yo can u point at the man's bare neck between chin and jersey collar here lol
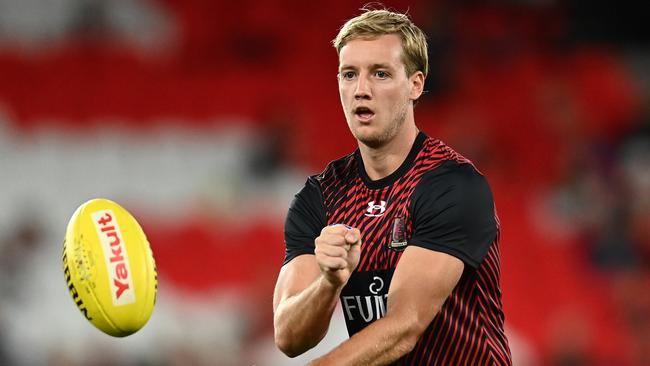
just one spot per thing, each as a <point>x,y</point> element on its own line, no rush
<point>383,161</point>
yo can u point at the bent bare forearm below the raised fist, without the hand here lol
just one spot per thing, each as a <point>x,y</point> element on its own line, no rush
<point>301,321</point>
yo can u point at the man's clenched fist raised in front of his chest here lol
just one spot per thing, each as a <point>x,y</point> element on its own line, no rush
<point>337,252</point>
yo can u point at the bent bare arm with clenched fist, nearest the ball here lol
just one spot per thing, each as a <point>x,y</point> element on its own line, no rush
<point>308,288</point>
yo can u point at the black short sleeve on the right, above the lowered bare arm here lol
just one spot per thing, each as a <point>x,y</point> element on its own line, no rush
<point>453,212</point>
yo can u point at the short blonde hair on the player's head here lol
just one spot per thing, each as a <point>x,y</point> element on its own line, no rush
<point>375,23</point>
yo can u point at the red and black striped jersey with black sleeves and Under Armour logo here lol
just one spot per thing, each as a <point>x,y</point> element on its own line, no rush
<point>437,200</point>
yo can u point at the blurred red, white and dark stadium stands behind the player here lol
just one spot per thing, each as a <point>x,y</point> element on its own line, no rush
<point>203,118</point>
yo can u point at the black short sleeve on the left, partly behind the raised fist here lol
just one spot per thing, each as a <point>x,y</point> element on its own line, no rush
<point>305,220</point>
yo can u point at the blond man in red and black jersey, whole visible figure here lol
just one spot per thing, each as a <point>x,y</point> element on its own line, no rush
<point>403,231</point>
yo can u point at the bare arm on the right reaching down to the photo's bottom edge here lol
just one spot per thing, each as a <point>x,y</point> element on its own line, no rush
<point>422,282</point>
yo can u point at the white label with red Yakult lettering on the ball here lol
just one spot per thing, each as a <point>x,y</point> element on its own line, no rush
<point>117,262</point>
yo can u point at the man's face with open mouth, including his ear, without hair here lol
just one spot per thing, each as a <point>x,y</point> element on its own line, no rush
<point>376,93</point>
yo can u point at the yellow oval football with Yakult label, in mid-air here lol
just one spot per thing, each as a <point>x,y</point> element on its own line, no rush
<point>109,267</point>
